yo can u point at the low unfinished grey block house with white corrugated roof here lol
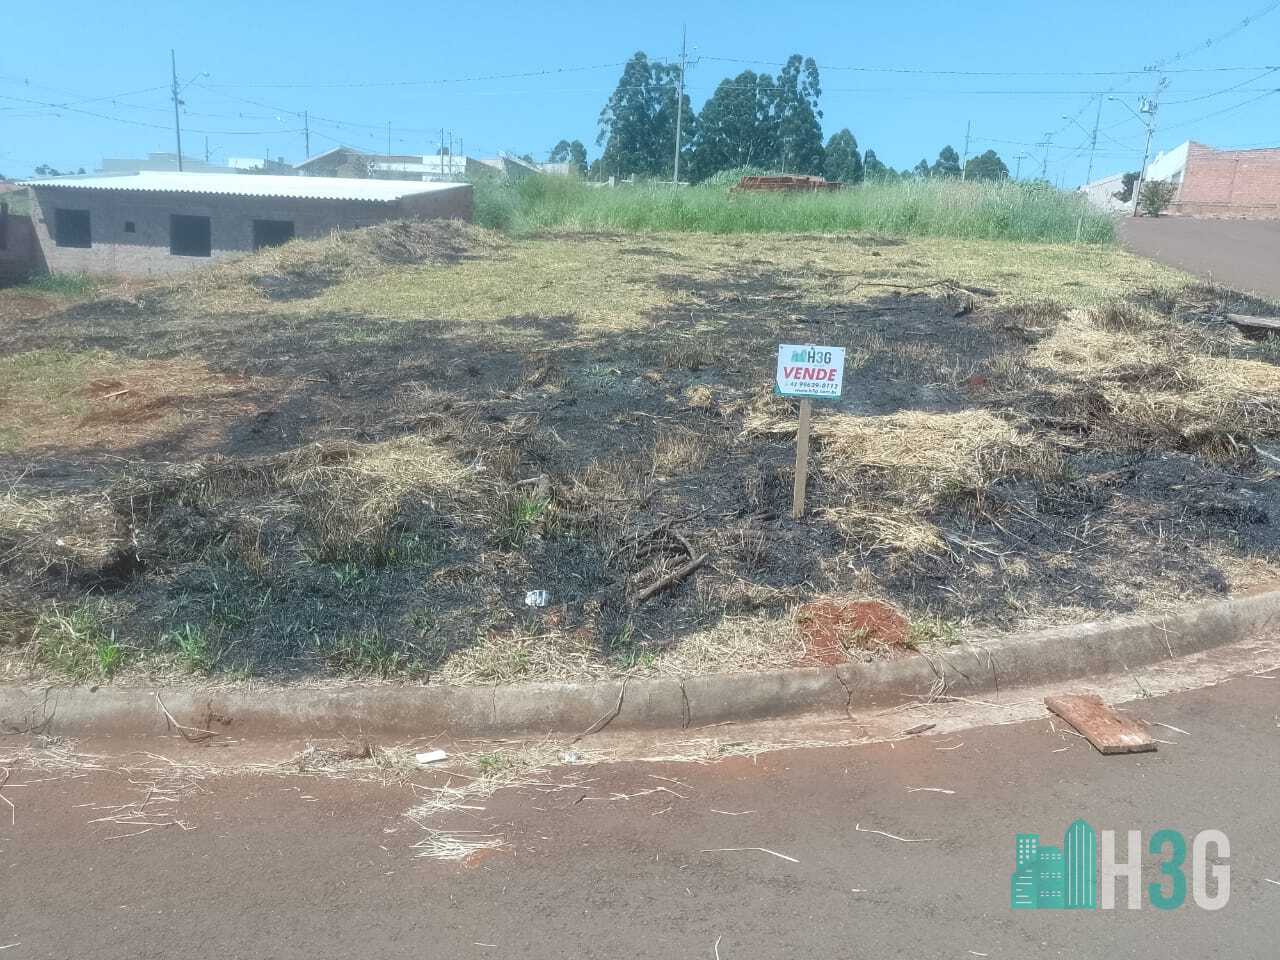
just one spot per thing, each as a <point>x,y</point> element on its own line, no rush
<point>157,222</point>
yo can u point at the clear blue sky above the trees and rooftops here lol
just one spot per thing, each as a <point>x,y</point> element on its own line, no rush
<point>358,66</point>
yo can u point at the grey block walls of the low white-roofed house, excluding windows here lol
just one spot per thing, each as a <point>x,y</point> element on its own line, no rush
<point>145,250</point>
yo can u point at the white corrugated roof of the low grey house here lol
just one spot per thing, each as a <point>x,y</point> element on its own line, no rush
<point>241,185</point>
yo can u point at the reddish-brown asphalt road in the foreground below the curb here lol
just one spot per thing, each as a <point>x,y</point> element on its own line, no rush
<point>624,861</point>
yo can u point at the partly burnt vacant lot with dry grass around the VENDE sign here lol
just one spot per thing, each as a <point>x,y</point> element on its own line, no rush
<point>356,456</point>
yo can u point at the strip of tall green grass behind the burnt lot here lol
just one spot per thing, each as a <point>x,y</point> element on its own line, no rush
<point>927,208</point>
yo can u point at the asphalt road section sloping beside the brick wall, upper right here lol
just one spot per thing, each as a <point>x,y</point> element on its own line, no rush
<point>1244,255</point>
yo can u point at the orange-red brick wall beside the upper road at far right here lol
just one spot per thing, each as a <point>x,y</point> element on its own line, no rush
<point>1231,184</point>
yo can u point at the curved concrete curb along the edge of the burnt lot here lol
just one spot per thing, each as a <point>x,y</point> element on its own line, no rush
<point>977,668</point>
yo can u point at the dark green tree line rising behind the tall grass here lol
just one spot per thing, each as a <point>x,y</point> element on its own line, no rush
<point>752,121</point>
